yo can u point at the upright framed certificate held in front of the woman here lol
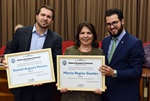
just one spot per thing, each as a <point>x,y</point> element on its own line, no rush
<point>80,73</point>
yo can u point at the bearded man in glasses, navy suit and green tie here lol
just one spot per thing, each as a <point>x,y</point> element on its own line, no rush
<point>124,65</point>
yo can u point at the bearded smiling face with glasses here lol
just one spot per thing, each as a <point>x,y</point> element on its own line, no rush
<point>114,25</point>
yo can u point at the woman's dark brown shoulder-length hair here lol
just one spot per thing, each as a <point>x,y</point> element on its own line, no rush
<point>91,27</point>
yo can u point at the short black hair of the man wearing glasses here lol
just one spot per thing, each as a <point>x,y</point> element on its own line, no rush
<point>112,12</point>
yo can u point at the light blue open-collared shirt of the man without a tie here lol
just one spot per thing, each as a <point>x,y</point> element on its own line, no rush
<point>37,40</point>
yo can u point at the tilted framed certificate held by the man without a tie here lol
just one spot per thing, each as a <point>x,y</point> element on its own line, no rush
<point>29,68</point>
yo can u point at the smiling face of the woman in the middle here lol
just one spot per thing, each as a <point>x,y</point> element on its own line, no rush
<point>86,37</point>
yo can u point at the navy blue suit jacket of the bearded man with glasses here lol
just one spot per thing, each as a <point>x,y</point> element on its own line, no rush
<point>127,60</point>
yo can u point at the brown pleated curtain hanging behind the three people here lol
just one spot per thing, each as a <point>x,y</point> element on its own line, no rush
<point>69,13</point>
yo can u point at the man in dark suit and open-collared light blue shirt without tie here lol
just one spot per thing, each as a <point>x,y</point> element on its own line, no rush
<point>34,38</point>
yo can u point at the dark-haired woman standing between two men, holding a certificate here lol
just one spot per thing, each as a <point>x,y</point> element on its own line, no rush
<point>86,44</point>
